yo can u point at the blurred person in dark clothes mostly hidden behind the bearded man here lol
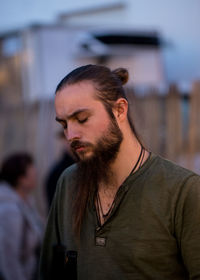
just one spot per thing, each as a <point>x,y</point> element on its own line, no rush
<point>65,161</point>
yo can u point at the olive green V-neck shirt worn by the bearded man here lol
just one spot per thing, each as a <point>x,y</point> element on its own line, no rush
<point>153,231</point>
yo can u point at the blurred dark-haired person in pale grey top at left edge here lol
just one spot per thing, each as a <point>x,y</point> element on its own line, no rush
<point>21,228</point>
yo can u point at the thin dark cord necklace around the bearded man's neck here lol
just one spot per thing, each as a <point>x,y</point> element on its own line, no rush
<point>98,200</point>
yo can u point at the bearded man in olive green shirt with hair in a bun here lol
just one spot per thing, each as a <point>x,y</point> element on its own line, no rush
<point>121,212</point>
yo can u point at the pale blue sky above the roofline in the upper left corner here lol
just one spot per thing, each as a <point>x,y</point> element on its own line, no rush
<point>18,13</point>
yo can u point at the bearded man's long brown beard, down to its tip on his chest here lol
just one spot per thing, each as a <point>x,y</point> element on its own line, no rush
<point>94,168</point>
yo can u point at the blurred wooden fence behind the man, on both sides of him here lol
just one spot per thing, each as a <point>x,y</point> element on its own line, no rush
<point>169,125</point>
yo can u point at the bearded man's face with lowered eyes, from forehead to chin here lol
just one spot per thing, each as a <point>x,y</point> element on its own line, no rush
<point>87,126</point>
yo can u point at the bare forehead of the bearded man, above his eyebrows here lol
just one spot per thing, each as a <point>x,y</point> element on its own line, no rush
<point>75,97</point>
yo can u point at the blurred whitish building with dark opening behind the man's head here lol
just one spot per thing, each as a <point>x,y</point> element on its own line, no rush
<point>35,59</point>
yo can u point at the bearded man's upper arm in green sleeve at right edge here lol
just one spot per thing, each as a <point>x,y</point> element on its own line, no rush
<point>188,226</point>
